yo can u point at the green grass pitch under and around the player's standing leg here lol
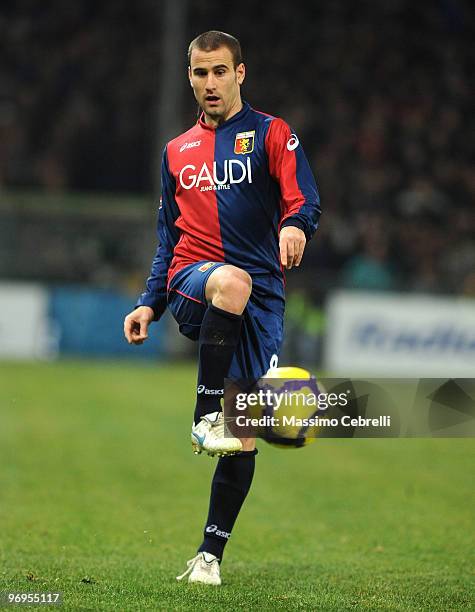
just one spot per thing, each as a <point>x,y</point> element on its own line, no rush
<point>102,499</point>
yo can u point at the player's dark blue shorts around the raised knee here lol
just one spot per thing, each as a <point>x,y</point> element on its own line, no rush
<point>263,318</point>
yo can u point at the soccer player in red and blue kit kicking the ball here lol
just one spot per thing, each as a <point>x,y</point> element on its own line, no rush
<point>239,202</point>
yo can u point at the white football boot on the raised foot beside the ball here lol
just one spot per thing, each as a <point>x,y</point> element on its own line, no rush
<point>208,435</point>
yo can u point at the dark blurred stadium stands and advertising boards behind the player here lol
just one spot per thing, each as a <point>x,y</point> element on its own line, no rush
<point>379,95</point>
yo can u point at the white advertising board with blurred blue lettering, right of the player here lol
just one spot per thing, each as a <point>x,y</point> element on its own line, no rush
<point>400,335</point>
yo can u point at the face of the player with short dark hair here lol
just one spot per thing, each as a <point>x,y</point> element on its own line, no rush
<point>216,84</point>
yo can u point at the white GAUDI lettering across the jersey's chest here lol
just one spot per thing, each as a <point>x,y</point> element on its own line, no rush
<point>207,179</point>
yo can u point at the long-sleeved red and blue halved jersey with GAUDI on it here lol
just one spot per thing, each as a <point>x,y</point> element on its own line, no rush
<point>226,192</point>
